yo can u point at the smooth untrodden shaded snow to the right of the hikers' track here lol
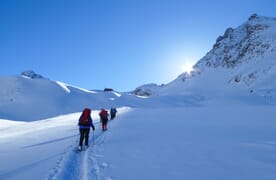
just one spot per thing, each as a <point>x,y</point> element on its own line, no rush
<point>192,143</point>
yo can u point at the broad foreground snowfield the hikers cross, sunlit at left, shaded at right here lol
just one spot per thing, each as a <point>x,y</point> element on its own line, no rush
<point>234,141</point>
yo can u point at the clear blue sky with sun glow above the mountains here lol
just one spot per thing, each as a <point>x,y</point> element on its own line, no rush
<point>119,44</point>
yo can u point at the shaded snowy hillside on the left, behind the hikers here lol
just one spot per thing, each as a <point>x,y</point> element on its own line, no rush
<point>31,97</point>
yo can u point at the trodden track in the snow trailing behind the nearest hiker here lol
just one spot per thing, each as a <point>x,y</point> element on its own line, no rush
<point>82,165</point>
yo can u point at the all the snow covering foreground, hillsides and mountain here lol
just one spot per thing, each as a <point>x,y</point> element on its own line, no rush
<point>217,123</point>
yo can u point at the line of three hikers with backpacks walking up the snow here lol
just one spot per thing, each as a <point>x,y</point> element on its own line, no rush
<point>86,122</point>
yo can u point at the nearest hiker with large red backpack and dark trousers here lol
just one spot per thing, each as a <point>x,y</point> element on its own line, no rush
<point>85,122</point>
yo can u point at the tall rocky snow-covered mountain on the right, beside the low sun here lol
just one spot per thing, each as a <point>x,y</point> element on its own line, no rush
<point>243,60</point>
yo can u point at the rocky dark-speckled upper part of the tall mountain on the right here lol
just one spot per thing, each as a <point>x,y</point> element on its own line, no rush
<point>247,42</point>
